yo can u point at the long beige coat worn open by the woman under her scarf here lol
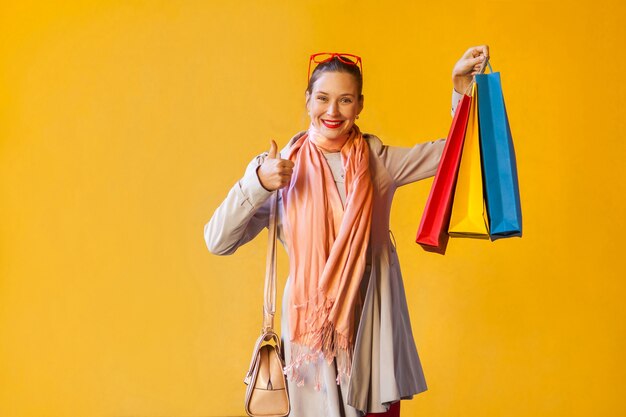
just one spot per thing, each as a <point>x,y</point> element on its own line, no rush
<point>386,366</point>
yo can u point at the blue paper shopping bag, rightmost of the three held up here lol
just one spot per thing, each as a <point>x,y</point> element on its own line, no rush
<point>498,159</point>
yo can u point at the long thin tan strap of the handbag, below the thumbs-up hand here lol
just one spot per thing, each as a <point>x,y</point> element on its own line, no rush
<point>269,305</point>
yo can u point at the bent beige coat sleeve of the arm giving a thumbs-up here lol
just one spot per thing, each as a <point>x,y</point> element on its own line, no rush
<point>241,216</point>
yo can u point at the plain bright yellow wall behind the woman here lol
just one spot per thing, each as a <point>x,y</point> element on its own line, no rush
<point>123,124</point>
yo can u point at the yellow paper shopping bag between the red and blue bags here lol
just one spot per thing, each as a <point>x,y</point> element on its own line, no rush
<point>469,216</point>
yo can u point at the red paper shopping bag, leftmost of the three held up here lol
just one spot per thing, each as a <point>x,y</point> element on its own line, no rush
<point>432,233</point>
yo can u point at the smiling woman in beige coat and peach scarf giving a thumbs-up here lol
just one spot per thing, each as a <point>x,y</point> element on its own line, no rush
<point>348,343</point>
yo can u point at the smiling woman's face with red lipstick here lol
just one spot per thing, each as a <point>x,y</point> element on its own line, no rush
<point>334,104</point>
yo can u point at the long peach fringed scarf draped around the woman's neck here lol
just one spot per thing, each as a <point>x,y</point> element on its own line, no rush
<point>327,248</point>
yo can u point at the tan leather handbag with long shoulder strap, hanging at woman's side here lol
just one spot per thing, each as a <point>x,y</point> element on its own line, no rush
<point>267,395</point>
